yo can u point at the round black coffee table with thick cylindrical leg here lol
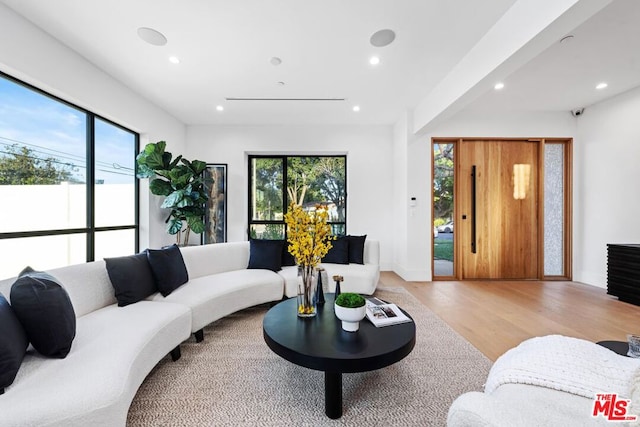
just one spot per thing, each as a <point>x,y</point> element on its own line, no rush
<point>320,343</point>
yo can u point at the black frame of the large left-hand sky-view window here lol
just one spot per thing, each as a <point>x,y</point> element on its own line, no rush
<point>90,229</point>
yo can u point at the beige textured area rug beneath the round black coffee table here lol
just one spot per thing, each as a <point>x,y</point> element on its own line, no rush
<point>234,379</point>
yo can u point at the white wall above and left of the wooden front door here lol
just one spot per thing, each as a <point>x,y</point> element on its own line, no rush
<point>465,124</point>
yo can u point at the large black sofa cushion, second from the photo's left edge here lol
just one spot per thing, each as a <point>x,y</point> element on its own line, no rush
<point>45,311</point>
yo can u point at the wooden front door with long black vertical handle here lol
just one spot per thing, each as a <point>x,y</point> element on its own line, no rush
<point>497,210</point>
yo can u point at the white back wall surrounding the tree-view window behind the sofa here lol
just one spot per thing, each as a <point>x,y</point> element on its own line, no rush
<point>369,169</point>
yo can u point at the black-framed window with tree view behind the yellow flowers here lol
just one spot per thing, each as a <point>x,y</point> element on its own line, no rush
<point>276,181</point>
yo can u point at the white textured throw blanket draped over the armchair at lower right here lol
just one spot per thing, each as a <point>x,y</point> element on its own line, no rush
<point>567,364</point>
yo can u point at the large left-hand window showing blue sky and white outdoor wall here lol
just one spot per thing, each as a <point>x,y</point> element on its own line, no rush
<point>67,182</point>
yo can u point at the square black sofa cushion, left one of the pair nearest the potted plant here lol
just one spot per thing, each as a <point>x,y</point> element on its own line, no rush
<point>131,278</point>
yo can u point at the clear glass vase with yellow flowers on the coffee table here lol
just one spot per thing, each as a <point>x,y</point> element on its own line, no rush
<point>309,237</point>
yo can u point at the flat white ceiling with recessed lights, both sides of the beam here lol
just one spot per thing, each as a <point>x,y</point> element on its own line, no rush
<point>225,49</point>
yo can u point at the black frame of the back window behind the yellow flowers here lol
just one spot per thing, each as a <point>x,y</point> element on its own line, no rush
<point>285,196</point>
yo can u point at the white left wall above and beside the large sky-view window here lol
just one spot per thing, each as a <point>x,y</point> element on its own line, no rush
<point>31,55</point>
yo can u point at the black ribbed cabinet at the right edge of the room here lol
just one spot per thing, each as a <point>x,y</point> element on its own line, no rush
<point>623,272</point>
